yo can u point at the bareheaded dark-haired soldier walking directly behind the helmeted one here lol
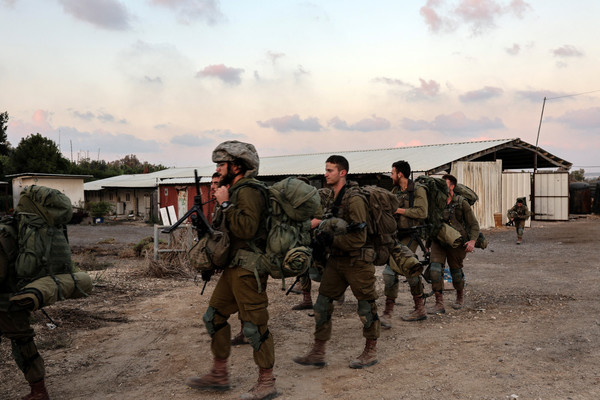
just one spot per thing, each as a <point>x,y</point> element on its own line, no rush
<point>350,263</point>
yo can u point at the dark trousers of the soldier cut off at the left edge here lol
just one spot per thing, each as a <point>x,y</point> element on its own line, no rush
<point>15,326</point>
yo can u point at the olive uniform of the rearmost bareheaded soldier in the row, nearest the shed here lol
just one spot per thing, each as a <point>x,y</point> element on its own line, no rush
<point>460,216</point>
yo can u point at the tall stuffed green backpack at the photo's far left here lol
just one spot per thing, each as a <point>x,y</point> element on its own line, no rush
<point>42,215</point>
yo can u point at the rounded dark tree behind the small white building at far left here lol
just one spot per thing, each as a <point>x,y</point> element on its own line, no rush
<point>35,153</point>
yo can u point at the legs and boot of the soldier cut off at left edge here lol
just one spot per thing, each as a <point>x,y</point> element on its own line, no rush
<point>14,325</point>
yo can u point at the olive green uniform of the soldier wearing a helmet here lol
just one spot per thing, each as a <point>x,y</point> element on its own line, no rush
<point>237,289</point>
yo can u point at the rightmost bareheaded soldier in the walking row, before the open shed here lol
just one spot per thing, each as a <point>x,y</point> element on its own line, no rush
<point>459,215</point>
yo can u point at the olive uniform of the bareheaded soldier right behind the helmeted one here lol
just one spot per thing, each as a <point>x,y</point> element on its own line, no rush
<point>350,264</point>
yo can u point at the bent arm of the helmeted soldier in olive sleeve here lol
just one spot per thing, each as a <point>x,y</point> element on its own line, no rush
<point>244,217</point>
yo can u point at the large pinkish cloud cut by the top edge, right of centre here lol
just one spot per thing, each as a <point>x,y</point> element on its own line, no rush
<point>478,15</point>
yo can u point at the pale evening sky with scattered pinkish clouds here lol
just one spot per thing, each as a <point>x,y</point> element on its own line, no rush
<point>168,80</point>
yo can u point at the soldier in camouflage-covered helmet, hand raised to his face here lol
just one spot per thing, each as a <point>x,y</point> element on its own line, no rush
<point>243,209</point>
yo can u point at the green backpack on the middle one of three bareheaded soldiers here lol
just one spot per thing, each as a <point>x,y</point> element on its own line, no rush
<point>437,195</point>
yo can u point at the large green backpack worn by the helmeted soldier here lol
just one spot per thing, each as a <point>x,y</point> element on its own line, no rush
<point>292,204</point>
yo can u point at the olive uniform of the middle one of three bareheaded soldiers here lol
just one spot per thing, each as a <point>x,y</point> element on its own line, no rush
<point>414,215</point>
